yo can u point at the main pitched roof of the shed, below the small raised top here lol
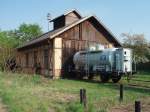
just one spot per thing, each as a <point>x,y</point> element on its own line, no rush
<point>54,33</point>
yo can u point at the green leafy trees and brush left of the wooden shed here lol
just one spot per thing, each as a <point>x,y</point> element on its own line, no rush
<point>9,40</point>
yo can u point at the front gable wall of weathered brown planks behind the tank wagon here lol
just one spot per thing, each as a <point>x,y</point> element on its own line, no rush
<point>79,38</point>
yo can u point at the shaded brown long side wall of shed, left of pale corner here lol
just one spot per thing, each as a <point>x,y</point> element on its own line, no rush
<point>30,68</point>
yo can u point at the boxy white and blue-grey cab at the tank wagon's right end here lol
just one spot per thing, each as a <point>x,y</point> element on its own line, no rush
<point>122,63</point>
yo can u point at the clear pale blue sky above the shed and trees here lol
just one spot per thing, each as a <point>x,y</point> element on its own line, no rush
<point>120,16</point>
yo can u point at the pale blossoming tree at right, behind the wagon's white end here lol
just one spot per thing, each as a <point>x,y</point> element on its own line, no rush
<point>137,42</point>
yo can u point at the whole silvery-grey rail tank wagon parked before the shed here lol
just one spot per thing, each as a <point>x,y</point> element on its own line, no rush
<point>108,63</point>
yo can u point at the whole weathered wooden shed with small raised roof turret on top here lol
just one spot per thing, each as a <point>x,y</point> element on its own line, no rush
<point>51,54</point>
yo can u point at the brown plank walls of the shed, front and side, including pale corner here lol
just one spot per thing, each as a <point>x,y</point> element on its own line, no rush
<point>61,50</point>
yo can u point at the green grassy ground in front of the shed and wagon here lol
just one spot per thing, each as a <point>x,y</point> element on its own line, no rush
<point>34,93</point>
